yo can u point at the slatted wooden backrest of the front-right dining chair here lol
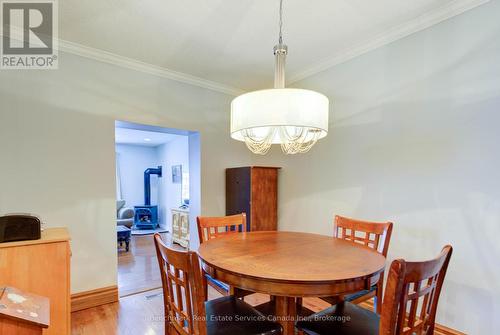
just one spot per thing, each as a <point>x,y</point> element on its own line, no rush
<point>409,285</point>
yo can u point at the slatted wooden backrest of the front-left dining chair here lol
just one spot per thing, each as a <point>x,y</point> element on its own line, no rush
<point>183,295</point>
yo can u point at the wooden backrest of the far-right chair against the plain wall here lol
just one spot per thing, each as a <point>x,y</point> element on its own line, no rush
<point>374,235</point>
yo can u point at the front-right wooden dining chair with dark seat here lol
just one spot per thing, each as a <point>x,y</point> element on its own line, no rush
<point>409,306</point>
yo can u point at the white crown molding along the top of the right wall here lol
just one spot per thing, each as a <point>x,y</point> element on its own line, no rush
<point>421,22</point>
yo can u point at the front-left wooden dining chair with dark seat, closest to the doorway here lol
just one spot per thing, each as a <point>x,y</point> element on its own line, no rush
<point>185,309</point>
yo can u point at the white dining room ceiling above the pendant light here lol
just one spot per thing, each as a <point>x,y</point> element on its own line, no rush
<point>229,42</point>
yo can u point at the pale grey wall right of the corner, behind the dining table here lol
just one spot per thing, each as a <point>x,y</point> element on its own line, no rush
<point>414,139</point>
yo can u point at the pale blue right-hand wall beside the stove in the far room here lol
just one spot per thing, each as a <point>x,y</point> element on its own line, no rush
<point>175,152</point>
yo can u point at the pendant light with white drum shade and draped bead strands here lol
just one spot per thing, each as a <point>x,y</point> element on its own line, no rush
<point>292,117</point>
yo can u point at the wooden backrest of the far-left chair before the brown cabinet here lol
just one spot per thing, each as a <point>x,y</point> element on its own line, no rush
<point>213,227</point>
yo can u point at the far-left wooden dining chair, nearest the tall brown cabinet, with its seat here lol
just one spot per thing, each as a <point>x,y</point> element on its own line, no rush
<point>213,227</point>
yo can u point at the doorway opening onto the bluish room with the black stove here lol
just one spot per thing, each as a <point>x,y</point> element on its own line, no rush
<point>157,178</point>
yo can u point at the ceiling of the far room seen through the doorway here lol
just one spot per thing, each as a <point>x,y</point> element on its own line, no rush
<point>142,137</point>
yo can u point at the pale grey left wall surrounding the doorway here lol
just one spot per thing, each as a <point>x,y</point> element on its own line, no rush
<point>57,149</point>
